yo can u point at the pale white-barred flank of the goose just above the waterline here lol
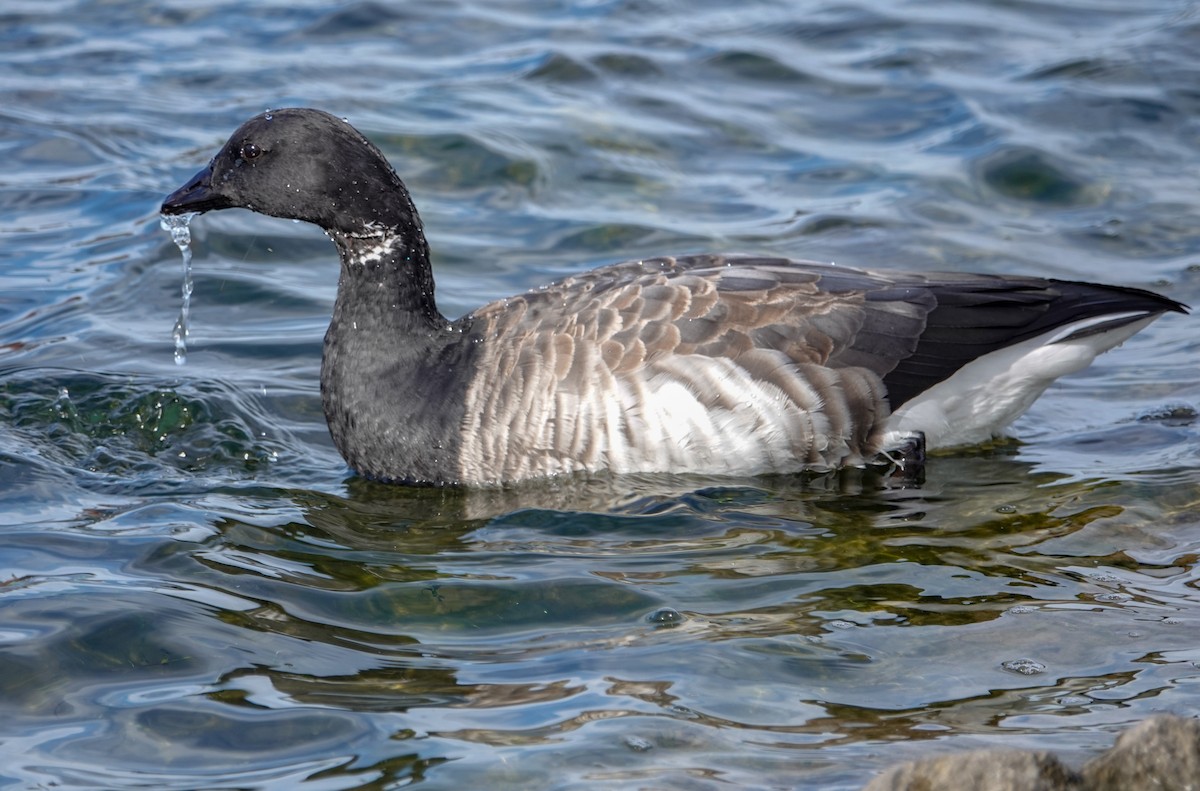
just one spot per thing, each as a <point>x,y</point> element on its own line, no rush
<point>681,415</point>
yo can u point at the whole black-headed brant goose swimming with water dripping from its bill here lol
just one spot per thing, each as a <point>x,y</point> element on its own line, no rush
<point>695,364</point>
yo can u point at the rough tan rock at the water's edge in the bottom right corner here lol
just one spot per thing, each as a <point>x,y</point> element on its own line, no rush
<point>1160,753</point>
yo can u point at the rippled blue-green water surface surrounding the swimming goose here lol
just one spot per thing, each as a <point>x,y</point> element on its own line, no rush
<point>197,594</point>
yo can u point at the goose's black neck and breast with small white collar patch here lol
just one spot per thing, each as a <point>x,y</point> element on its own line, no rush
<point>395,371</point>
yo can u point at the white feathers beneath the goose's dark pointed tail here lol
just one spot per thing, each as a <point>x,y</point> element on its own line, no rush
<point>985,397</point>
